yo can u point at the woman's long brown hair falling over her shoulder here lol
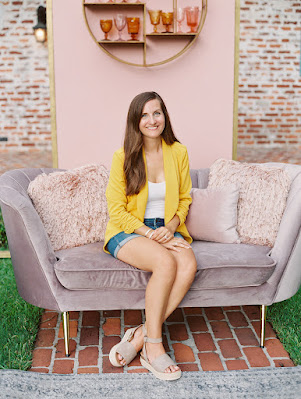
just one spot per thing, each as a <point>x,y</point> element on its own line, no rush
<point>134,167</point>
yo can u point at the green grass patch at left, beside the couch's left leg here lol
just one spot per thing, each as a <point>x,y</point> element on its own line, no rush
<point>19,323</point>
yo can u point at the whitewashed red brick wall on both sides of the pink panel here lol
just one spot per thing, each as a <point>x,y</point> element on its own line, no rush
<point>269,79</point>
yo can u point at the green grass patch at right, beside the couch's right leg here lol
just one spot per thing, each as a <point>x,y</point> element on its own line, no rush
<point>286,320</point>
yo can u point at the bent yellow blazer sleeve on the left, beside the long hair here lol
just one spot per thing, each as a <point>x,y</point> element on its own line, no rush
<point>117,199</point>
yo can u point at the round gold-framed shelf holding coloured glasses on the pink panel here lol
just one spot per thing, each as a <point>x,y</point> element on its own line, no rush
<point>192,36</point>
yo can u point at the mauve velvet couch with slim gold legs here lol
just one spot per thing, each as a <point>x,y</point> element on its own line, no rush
<point>86,278</point>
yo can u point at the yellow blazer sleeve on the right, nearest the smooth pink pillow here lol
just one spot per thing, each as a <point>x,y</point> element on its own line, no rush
<point>185,188</point>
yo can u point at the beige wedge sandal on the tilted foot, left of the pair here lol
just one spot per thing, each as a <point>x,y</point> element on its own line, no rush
<point>124,348</point>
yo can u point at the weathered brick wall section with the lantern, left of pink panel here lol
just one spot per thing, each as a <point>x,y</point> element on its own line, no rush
<point>24,83</point>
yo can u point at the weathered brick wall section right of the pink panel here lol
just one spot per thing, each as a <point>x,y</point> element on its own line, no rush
<point>269,73</point>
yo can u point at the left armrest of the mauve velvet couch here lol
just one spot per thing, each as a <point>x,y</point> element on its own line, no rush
<point>32,255</point>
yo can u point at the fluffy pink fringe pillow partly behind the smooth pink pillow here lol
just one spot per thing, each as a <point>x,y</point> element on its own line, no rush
<point>262,197</point>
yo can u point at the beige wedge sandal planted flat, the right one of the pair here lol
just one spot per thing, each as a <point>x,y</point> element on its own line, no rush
<point>160,364</point>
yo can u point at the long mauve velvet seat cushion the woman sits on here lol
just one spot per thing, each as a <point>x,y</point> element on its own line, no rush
<point>219,266</point>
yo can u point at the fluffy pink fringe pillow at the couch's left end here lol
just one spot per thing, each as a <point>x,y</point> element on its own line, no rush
<point>72,205</point>
